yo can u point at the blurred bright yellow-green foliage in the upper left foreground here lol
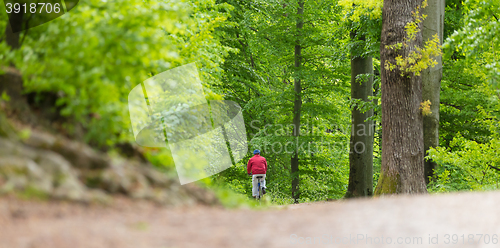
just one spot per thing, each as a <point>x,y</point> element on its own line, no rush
<point>94,55</point>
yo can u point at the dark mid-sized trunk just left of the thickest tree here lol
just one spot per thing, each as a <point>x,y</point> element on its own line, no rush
<point>361,145</point>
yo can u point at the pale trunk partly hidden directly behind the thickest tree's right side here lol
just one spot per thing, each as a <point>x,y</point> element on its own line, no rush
<point>431,81</point>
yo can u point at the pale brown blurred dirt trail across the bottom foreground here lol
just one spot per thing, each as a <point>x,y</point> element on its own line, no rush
<point>403,221</point>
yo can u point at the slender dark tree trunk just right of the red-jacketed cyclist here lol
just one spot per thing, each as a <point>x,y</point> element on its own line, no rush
<point>297,105</point>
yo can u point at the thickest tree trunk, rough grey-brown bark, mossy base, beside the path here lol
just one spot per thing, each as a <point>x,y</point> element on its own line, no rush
<point>402,168</point>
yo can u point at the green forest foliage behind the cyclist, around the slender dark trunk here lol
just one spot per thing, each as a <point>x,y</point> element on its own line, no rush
<point>260,76</point>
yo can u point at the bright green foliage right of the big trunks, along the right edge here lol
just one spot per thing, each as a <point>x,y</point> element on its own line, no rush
<point>469,108</point>
